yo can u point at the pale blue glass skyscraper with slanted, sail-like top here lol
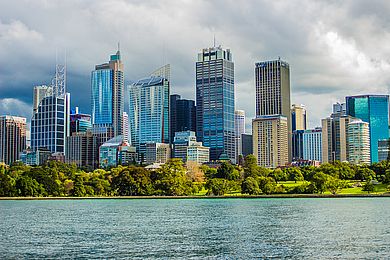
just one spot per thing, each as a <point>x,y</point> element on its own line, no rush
<point>149,111</point>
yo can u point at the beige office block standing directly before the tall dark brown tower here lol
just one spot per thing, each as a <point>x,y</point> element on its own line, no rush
<point>270,140</point>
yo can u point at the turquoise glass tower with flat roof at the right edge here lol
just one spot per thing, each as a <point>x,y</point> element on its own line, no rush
<point>373,109</point>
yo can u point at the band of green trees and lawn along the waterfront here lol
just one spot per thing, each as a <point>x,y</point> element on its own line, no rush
<point>55,179</point>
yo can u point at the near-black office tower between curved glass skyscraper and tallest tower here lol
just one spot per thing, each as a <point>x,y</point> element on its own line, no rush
<point>183,115</point>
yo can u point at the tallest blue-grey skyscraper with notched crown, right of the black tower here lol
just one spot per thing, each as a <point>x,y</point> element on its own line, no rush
<point>215,102</point>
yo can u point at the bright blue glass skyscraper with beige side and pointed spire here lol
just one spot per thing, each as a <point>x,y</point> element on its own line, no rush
<point>107,82</point>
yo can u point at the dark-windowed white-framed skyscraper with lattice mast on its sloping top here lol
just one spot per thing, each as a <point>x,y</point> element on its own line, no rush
<point>50,123</point>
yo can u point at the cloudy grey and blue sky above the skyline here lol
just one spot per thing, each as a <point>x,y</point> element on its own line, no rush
<point>334,48</point>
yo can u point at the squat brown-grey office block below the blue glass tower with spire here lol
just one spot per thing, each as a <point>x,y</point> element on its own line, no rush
<point>83,149</point>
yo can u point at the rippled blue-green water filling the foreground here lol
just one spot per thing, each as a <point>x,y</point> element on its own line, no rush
<point>196,228</point>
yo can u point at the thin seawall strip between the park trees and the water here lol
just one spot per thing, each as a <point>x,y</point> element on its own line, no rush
<point>281,196</point>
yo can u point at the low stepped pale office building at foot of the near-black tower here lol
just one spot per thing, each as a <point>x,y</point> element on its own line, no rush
<point>186,147</point>
